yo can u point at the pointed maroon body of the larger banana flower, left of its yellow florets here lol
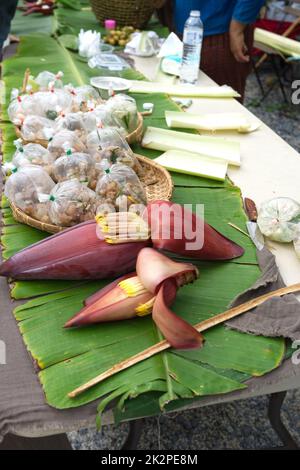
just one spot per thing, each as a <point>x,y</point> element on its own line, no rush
<point>75,254</point>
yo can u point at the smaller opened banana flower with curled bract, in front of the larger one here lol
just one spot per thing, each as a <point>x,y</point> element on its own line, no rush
<point>152,288</point>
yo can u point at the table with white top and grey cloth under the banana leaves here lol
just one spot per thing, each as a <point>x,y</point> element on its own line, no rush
<point>270,167</point>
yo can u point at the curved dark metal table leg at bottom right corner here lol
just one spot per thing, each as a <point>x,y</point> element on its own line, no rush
<point>274,413</point>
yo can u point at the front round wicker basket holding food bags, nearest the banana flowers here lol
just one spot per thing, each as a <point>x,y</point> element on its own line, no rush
<point>156,181</point>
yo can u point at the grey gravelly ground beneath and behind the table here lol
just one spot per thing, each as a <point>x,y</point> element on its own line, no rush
<point>239,425</point>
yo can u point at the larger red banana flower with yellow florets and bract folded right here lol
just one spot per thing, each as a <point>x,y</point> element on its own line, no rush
<point>78,253</point>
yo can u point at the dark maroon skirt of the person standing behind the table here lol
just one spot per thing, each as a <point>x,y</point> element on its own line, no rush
<point>219,63</point>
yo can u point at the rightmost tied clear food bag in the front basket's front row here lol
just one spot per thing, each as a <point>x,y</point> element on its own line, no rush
<point>120,187</point>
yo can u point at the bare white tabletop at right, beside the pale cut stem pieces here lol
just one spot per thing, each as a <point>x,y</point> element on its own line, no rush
<point>270,166</point>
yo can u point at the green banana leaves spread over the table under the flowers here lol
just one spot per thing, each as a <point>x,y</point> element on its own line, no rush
<point>67,358</point>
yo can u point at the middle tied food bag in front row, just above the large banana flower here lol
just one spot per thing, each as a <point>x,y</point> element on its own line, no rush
<point>70,203</point>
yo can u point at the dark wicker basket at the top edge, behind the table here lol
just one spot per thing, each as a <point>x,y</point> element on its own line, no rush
<point>135,13</point>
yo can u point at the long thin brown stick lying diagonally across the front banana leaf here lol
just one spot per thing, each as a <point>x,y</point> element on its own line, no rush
<point>200,327</point>
